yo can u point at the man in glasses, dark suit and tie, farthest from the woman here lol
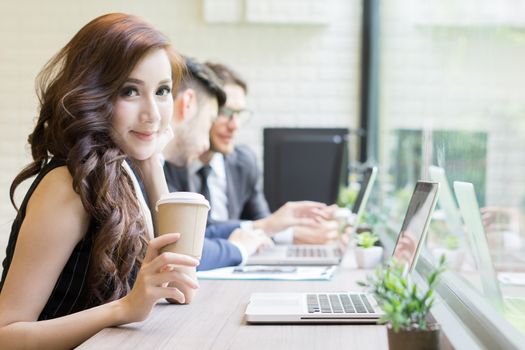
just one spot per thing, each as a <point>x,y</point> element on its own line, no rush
<point>229,177</point>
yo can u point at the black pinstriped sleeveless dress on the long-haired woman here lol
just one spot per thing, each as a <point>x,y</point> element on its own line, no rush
<point>71,292</point>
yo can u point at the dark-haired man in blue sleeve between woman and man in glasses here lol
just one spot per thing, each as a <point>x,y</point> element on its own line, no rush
<point>196,104</point>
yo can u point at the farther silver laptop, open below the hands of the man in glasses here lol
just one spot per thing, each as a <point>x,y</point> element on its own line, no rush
<point>308,254</point>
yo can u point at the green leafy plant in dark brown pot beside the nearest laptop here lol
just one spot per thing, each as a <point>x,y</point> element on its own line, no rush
<point>406,308</point>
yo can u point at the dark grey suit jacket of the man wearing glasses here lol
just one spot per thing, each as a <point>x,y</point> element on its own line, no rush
<point>243,185</point>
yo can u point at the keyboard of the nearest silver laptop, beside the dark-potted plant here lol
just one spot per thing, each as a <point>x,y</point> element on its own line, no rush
<point>338,303</point>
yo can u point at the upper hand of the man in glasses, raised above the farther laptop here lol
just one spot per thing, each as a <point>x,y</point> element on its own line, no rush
<point>292,214</point>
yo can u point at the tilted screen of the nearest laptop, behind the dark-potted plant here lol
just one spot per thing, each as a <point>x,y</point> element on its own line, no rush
<point>416,222</point>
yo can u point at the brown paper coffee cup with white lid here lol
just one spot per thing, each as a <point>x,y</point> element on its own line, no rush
<point>185,213</point>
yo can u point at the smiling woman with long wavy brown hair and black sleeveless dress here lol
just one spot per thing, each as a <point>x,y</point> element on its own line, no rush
<point>81,255</point>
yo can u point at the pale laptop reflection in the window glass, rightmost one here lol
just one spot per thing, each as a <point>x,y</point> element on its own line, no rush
<point>468,205</point>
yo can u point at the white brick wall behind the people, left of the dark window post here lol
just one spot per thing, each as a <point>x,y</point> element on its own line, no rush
<point>299,75</point>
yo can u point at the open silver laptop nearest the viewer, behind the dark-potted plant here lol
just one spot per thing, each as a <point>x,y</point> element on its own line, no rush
<point>348,307</point>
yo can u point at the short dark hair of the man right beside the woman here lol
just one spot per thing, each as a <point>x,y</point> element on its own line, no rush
<point>202,79</point>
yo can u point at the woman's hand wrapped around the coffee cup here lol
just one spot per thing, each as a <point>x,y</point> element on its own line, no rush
<point>153,278</point>
